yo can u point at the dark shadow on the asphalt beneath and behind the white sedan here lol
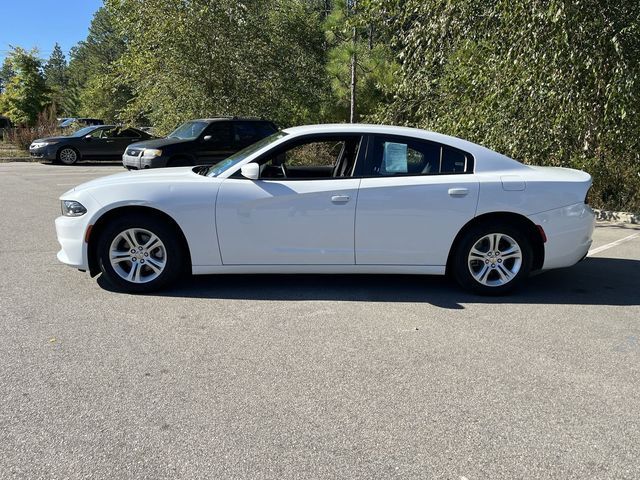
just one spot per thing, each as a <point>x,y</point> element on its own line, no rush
<point>594,281</point>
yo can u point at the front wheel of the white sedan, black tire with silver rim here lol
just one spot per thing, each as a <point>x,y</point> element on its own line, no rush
<point>171,248</point>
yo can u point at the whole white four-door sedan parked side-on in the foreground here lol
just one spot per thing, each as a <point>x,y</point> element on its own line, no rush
<point>333,199</point>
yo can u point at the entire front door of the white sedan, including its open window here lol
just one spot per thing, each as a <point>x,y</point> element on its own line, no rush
<point>300,212</point>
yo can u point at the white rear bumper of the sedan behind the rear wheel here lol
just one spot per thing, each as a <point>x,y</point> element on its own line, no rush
<point>568,230</point>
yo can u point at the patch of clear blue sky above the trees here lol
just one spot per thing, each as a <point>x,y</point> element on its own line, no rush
<point>42,23</point>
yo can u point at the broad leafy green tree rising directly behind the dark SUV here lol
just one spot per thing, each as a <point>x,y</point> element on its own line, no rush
<point>202,58</point>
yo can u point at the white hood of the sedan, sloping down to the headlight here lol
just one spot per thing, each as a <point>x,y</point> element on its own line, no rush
<point>138,178</point>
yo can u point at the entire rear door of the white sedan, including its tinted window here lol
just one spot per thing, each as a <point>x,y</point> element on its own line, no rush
<point>414,199</point>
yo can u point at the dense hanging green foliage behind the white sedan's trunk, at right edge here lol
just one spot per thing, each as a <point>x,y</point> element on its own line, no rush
<point>545,82</point>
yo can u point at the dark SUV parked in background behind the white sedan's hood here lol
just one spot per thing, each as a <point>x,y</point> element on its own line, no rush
<point>204,141</point>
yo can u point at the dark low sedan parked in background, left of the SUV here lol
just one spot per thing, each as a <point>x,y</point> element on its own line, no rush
<point>104,142</point>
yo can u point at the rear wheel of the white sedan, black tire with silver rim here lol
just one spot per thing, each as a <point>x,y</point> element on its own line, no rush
<point>491,273</point>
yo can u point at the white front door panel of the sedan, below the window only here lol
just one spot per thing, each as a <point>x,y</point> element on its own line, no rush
<point>286,222</point>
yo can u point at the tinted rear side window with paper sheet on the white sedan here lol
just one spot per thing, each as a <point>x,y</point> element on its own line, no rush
<point>403,156</point>
